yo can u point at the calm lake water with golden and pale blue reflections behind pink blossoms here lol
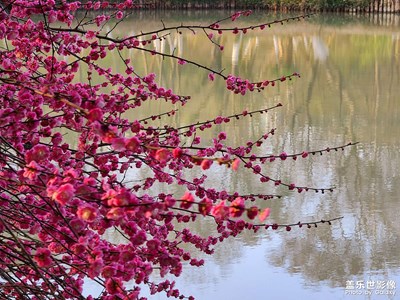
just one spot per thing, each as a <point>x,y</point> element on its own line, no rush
<point>349,90</point>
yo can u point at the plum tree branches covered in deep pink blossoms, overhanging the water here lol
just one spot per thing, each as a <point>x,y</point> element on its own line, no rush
<point>58,199</point>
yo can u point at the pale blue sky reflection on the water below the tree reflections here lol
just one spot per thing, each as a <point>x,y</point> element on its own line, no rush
<point>250,277</point>
